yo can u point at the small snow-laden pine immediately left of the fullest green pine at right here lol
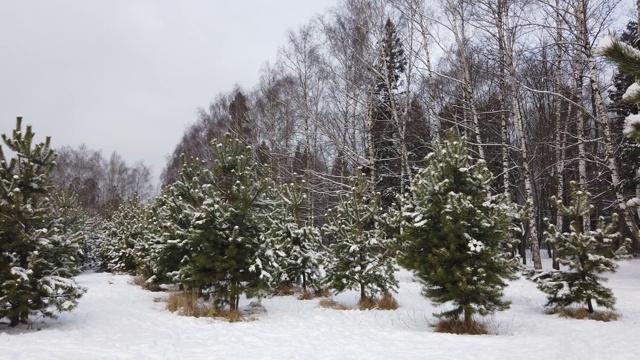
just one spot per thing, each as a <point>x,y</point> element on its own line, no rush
<point>360,255</point>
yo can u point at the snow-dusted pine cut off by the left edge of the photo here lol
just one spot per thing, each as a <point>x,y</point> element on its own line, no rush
<point>36,265</point>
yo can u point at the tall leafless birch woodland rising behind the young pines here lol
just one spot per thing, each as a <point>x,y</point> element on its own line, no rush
<point>372,83</point>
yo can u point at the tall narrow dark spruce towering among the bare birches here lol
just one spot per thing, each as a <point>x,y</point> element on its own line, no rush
<point>385,112</point>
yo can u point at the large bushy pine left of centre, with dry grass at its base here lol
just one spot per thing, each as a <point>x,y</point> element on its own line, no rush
<point>216,240</point>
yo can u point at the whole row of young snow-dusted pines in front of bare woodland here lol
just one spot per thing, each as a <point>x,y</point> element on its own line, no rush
<point>229,229</point>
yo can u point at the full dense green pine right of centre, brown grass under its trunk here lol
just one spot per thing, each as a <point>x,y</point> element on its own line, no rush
<point>457,233</point>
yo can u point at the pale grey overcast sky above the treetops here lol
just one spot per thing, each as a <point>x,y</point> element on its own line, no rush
<point>129,75</point>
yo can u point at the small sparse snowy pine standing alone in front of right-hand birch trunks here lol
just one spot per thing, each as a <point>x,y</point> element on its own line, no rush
<point>586,253</point>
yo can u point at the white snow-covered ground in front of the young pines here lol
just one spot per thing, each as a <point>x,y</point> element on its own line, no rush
<point>117,320</point>
